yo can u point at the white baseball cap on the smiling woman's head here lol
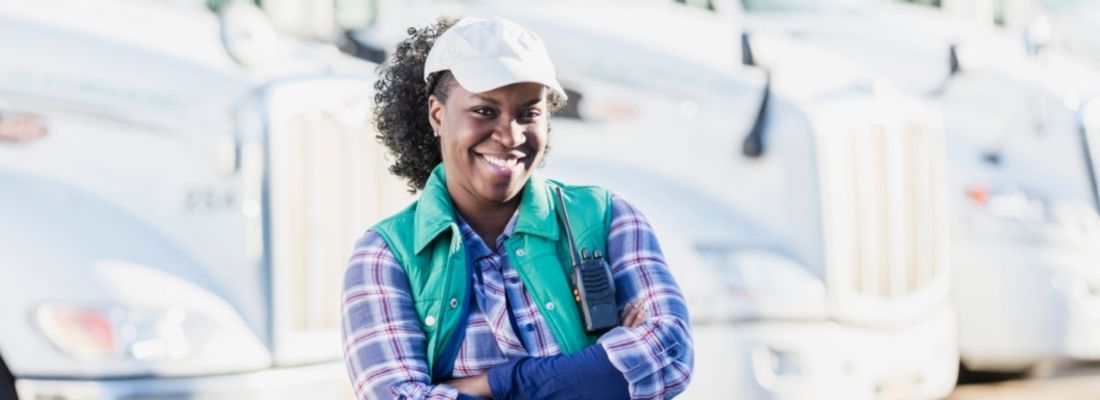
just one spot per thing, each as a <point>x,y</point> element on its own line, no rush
<point>486,54</point>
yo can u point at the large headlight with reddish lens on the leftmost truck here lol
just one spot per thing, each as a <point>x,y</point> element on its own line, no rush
<point>141,320</point>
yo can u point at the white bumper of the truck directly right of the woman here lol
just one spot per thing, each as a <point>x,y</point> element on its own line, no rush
<point>823,360</point>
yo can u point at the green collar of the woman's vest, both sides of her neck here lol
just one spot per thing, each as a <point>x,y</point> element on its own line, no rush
<point>435,213</point>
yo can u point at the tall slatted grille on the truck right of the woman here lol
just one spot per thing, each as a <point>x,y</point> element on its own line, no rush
<point>885,216</point>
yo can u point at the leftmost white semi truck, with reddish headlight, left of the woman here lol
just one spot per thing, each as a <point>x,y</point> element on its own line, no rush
<point>177,218</point>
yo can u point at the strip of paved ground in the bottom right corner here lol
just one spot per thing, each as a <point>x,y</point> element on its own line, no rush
<point>1068,383</point>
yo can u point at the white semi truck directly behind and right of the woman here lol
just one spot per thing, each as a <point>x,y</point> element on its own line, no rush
<point>805,219</point>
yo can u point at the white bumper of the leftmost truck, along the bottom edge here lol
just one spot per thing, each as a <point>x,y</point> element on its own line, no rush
<point>315,382</point>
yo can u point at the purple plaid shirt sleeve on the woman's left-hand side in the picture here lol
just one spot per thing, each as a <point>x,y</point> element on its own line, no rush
<point>384,347</point>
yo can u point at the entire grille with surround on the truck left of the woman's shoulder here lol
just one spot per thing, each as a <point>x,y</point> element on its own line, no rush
<point>328,184</point>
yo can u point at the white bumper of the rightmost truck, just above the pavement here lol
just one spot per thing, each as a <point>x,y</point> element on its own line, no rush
<point>1024,303</point>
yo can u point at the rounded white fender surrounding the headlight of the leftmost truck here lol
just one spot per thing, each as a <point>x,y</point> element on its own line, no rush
<point>61,247</point>
